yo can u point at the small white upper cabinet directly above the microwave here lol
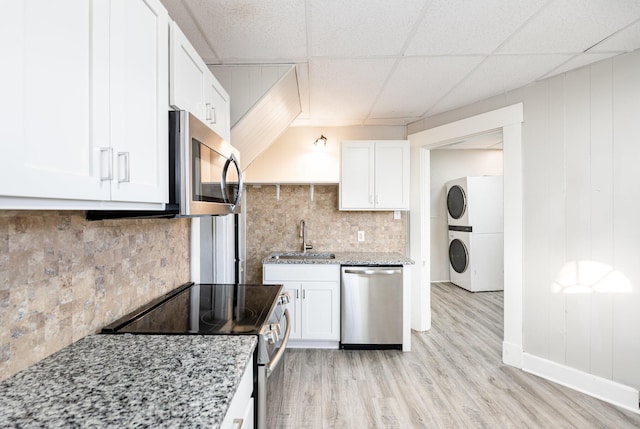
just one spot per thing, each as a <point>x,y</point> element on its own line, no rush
<point>194,88</point>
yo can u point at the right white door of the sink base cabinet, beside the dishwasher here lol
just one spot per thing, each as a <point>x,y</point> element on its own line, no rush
<point>320,310</point>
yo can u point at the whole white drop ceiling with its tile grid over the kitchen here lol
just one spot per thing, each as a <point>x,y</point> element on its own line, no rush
<point>392,62</point>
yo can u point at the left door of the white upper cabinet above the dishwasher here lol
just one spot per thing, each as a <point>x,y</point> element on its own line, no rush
<point>357,176</point>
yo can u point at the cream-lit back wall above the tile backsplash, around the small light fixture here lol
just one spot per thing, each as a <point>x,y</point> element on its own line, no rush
<point>293,158</point>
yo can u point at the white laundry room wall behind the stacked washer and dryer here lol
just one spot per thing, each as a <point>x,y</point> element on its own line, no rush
<point>447,165</point>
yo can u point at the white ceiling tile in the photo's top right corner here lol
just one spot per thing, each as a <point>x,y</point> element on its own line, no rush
<point>572,26</point>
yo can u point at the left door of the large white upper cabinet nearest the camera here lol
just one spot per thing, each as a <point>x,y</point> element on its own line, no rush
<point>48,150</point>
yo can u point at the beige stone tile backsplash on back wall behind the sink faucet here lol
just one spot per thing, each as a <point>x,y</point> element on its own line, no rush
<point>272,224</point>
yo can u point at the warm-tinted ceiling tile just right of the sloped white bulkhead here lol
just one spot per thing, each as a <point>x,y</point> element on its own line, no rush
<point>346,88</point>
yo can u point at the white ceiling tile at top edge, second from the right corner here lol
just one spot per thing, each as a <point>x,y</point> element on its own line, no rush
<point>453,27</point>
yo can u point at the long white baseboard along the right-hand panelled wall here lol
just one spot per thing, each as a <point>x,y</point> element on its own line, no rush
<point>615,393</point>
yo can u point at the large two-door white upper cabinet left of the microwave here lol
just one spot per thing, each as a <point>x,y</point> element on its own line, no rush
<point>84,104</point>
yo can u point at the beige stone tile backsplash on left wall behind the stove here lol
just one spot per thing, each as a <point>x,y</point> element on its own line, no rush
<point>62,277</point>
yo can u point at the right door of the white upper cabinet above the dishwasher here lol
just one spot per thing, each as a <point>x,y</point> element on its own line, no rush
<point>392,175</point>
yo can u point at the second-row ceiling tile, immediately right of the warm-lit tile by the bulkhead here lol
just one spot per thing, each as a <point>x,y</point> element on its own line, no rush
<point>418,83</point>
